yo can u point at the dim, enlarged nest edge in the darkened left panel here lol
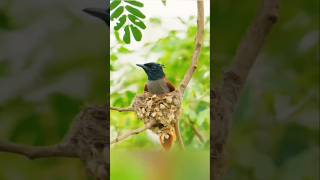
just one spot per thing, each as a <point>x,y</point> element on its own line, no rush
<point>88,137</point>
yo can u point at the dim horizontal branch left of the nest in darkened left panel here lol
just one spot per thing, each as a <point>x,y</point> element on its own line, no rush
<point>33,152</point>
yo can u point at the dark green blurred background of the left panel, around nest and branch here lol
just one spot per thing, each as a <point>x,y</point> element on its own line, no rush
<point>52,64</point>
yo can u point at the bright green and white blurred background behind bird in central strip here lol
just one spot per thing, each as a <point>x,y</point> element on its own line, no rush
<point>169,39</point>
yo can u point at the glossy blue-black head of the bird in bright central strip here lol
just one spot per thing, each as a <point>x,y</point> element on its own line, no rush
<point>153,70</point>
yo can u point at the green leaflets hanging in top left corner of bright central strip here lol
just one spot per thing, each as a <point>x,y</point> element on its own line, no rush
<point>129,18</point>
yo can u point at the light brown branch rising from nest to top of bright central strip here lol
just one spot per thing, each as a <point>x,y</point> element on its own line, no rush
<point>198,47</point>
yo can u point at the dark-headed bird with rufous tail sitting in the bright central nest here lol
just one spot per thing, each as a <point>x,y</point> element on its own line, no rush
<point>159,84</point>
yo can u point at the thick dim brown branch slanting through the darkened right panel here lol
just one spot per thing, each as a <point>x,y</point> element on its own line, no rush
<point>226,97</point>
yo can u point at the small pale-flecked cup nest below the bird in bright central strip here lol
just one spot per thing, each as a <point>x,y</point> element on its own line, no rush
<point>161,110</point>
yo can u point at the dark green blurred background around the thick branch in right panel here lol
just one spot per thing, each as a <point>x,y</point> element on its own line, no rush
<point>275,132</point>
